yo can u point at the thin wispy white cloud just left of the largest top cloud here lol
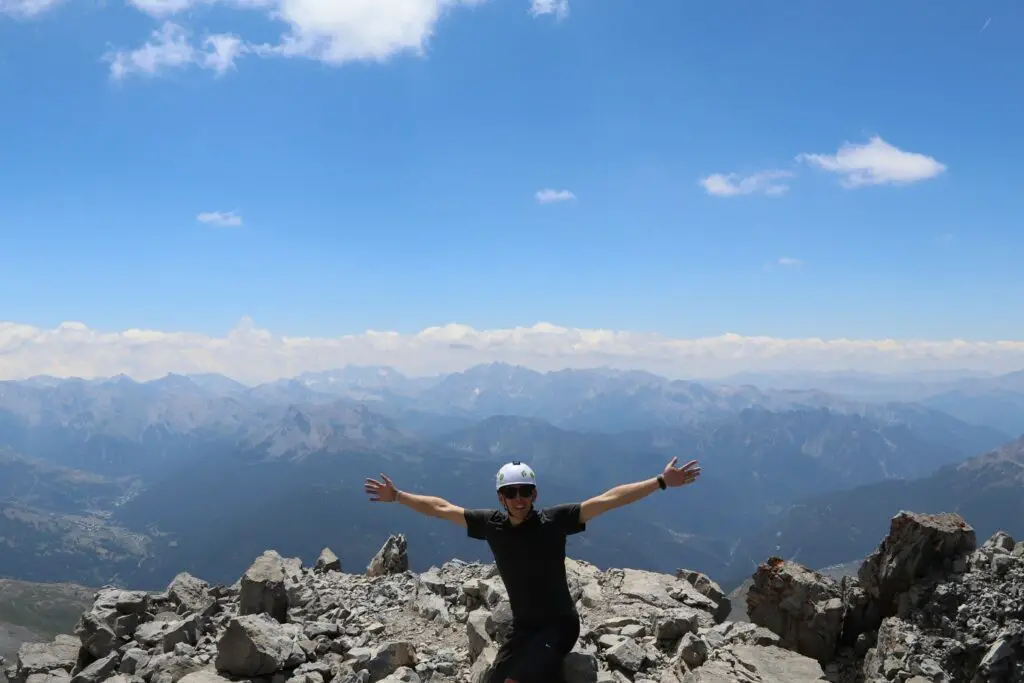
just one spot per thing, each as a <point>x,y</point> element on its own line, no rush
<point>170,48</point>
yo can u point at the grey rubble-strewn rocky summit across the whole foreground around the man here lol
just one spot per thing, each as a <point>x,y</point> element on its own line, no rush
<point>927,606</point>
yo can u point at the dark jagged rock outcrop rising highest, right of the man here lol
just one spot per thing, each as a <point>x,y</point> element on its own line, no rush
<point>927,606</point>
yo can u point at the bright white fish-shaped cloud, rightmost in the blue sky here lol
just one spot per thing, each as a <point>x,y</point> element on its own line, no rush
<point>876,163</point>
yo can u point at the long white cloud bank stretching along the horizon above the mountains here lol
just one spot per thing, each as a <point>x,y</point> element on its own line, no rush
<point>251,355</point>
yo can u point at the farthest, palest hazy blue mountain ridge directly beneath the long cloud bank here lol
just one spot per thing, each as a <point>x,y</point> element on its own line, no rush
<point>604,400</point>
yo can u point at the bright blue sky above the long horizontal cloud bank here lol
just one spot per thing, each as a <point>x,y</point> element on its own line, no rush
<point>400,193</point>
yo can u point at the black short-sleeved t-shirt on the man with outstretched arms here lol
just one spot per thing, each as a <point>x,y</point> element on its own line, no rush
<point>531,559</point>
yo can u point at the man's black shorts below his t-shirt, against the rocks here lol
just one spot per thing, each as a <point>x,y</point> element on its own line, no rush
<point>534,653</point>
